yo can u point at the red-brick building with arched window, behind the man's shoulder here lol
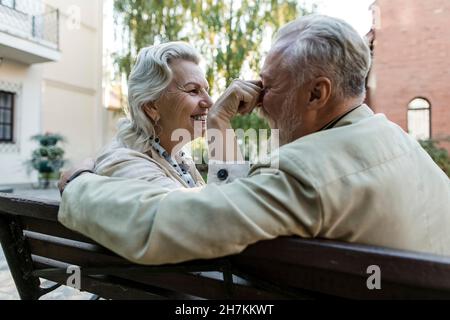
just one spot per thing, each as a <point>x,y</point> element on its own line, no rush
<point>410,77</point>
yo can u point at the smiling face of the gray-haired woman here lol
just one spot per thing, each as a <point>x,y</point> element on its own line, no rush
<point>186,102</point>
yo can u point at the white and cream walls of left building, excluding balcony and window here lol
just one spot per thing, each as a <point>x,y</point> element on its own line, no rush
<point>63,97</point>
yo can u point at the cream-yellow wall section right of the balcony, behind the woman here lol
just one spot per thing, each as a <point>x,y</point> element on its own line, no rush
<point>72,93</point>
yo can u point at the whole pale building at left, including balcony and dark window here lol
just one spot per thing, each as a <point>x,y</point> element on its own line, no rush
<point>50,80</point>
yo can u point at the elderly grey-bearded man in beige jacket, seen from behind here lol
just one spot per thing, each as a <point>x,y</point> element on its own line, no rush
<point>344,173</point>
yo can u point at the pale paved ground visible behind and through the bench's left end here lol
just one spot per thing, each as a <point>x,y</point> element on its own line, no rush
<point>7,288</point>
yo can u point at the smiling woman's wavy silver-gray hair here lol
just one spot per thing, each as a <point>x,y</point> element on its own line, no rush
<point>148,80</point>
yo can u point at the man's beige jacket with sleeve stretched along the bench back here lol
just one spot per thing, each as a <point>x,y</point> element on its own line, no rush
<point>364,181</point>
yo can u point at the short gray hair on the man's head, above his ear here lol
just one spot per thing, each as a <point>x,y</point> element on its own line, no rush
<point>318,45</point>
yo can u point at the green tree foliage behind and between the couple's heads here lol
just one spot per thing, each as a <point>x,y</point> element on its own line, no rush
<point>229,34</point>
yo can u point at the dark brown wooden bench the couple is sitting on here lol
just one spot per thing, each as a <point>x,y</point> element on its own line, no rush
<point>37,246</point>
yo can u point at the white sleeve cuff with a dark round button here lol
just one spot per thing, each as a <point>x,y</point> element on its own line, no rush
<point>223,172</point>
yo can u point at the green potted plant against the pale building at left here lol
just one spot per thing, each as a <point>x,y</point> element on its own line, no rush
<point>47,159</point>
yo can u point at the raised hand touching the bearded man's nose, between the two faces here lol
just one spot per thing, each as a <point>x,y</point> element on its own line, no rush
<point>240,97</point>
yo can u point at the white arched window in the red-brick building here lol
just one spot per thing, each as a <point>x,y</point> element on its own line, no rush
<point>419,119</point>
